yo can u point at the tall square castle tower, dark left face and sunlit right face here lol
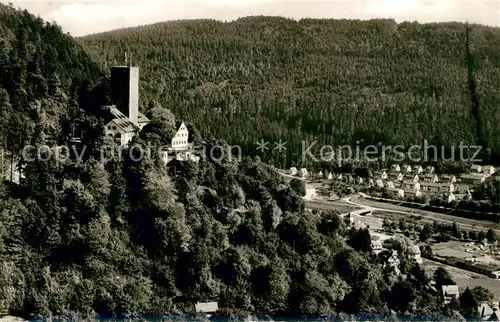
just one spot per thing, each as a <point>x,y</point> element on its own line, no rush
<point>125,91</point>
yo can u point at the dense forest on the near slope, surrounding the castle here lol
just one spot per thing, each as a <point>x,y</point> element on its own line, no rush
<point>121,237</point>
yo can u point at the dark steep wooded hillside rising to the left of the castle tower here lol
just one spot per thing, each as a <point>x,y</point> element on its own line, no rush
<point>40,68</point>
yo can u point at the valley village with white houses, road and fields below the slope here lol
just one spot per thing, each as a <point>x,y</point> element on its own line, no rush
<point>471,256</point>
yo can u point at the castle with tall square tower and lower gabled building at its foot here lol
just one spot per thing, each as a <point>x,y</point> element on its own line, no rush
<point>123,119</point>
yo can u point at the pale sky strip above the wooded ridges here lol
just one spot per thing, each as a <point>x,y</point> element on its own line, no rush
<point>82,17</point>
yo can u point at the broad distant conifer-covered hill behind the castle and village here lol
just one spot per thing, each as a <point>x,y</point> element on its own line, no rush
<point>337,81</point>
